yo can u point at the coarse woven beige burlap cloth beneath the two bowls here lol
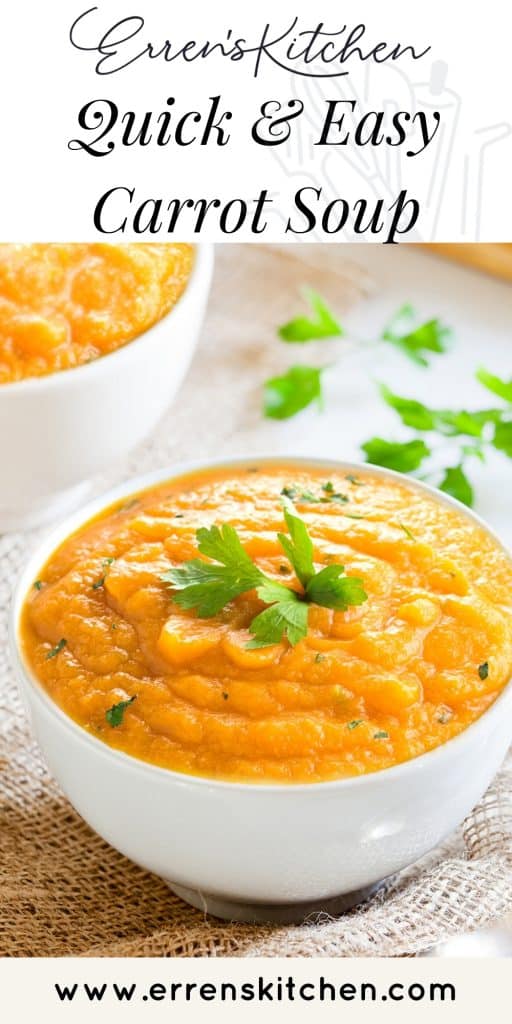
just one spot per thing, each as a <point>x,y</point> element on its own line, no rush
<point>63,890</point>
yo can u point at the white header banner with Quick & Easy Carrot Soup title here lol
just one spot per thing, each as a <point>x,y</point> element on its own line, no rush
<point>268,122</point>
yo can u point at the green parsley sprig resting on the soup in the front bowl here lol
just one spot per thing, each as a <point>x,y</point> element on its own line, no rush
<point>207,587</point>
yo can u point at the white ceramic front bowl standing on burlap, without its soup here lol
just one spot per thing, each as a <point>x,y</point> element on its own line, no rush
<point>262,852</point>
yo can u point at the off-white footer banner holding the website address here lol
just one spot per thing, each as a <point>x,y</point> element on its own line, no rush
<point>234,990</point>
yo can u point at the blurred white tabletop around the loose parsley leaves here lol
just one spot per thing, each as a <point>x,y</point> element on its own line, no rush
<point>479,308</point>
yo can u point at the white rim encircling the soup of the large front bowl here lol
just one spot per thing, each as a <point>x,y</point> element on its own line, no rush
<point>139,484</point>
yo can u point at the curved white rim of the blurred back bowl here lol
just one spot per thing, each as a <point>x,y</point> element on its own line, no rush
<point>202,266</point>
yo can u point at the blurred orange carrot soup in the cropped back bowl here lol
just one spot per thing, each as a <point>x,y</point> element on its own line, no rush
<point>63,306</point>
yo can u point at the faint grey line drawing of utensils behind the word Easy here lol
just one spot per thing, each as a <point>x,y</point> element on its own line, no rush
<point>456,155</point>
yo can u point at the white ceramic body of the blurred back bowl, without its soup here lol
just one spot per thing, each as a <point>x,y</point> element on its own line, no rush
<point>58,433</point>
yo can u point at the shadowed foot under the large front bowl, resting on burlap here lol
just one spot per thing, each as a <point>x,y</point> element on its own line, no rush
<point>274,914</point>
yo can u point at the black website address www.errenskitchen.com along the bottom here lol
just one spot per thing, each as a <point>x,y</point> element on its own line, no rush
<point>281,990</point>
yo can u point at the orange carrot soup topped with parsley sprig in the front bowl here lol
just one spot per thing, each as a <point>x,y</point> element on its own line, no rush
<point>422,650</point>
